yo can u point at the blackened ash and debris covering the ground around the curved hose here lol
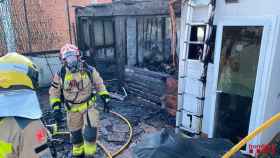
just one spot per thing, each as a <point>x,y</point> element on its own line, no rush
<point>145,117</point>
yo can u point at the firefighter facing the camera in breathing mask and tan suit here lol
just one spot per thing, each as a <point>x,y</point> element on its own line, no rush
<point>75,83</point>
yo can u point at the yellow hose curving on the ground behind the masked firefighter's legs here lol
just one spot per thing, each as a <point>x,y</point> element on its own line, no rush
<point>106,151</point>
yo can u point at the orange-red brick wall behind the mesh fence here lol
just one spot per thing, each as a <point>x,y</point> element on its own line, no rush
<point>47,22</point>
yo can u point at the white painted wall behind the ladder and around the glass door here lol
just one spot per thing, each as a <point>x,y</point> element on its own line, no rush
<point>247,9</point>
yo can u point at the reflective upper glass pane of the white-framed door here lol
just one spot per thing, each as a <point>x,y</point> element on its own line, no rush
<point>239,60</point>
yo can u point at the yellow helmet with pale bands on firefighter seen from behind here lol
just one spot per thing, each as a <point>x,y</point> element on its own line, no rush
<point>17,71</point>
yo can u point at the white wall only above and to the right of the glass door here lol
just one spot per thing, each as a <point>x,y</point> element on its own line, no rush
<point>260,8</point>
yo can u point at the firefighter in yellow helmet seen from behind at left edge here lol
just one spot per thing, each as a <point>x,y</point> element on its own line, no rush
<point>22,134</point>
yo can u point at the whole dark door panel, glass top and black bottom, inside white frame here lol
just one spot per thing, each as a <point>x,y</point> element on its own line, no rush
<point>236,80</point>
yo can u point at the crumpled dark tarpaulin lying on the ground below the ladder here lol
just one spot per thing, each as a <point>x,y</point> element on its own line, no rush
<point>167,144</point>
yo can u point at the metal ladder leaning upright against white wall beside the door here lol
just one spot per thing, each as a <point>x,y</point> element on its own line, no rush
<point>183,65</point>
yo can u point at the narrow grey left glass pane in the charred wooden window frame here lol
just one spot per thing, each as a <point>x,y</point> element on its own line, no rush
<point>98,33</point>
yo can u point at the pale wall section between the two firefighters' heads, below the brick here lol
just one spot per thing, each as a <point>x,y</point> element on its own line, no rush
<point>45,72</point>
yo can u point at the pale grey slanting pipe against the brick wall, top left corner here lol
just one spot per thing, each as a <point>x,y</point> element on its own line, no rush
<point>6,20</point>
